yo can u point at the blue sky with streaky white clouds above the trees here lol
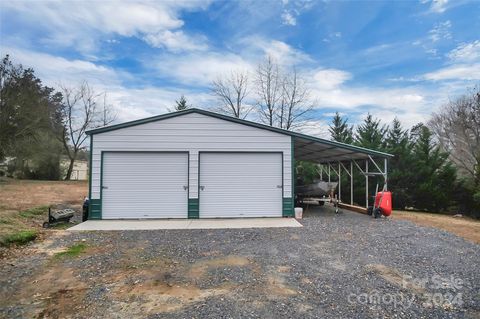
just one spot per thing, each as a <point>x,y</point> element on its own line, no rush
<point>402,58</point>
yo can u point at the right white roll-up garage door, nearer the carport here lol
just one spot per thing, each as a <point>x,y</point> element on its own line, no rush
<point>240,185</point>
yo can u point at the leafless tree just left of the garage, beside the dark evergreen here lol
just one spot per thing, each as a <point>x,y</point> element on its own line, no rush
<point>81,112</point>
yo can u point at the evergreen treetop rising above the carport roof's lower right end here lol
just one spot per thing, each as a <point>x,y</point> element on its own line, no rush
<point>371,134</point>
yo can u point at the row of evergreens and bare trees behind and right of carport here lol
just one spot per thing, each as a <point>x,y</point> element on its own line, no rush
<point>435,165</point>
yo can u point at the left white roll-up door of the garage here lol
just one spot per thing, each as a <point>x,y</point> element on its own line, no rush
<point>144,185</point>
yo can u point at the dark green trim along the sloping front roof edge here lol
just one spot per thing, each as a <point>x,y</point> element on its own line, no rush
<point>240,121</point>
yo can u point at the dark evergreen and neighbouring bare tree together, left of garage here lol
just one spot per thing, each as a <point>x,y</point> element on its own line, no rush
<point>40,125</point>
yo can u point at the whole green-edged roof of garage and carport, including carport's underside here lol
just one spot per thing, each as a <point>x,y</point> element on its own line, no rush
<point>306,147</point>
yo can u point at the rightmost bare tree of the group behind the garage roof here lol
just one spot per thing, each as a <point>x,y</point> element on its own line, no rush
<point>295,101</point>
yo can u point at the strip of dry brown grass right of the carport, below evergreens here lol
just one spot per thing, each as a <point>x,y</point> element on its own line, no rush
<point>465,227</point>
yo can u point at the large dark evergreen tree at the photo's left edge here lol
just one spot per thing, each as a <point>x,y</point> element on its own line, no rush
<point>30,123</point>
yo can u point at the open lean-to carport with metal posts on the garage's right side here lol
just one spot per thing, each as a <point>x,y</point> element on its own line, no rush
<point>336,159</point>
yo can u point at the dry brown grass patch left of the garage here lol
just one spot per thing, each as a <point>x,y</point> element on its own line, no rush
<point>17,196</point>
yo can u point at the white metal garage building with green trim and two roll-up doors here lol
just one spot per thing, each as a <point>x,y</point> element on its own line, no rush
<point>199,164</point>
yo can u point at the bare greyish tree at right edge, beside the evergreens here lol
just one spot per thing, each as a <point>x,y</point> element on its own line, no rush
<point>457,127</point>
